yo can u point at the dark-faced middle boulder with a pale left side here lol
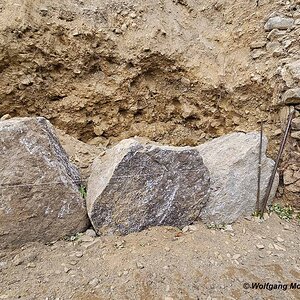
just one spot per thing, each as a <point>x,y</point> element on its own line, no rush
<point>136,185</point>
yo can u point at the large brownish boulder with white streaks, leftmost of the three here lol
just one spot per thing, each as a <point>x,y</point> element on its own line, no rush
<point>39,194</point>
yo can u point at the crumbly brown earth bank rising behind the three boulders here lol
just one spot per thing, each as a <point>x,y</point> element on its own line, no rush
<point>176,80</point>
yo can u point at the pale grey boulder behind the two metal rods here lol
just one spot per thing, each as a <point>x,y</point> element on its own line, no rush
<point>232,161</point>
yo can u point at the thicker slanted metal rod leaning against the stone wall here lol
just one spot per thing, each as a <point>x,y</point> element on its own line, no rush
<point>270,184</point>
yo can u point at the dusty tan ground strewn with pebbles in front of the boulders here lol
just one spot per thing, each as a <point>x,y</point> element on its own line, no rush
<point>159,263</point>
